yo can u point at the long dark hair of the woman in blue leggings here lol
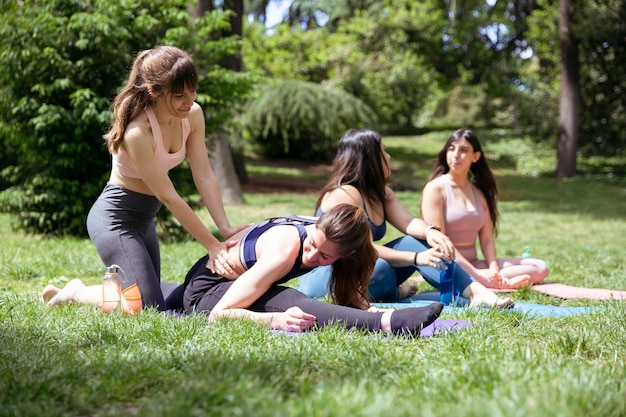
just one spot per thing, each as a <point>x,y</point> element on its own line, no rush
<point>359,162</point>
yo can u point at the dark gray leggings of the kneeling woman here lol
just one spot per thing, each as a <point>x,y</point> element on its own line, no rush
<point>121,224</point>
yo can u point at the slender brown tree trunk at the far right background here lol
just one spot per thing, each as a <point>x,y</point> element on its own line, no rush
<point>569,97</point>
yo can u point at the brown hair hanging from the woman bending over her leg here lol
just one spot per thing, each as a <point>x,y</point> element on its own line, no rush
<point>347,226</point>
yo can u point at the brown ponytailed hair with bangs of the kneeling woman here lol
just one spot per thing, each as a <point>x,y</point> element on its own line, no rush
<point>155,72</point>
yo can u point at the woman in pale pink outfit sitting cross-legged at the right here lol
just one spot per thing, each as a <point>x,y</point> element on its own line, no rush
<point>466,207</point>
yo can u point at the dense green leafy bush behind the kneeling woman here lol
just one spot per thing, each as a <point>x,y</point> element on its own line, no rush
<point>61,64</point>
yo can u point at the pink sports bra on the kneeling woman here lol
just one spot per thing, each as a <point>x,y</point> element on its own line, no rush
<point>121,161</point>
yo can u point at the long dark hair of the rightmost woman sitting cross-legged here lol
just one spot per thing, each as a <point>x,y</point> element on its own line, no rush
<point>481,176</point>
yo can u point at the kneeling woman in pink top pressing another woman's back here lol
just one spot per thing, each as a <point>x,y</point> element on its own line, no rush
<point>156,124</point>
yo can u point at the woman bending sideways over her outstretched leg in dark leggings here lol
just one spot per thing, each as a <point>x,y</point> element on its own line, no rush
<point>279,249</point>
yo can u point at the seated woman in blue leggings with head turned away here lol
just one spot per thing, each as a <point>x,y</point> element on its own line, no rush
<point>359,177</point>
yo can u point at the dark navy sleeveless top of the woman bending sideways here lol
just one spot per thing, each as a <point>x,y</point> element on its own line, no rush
<point>247,249</point>
